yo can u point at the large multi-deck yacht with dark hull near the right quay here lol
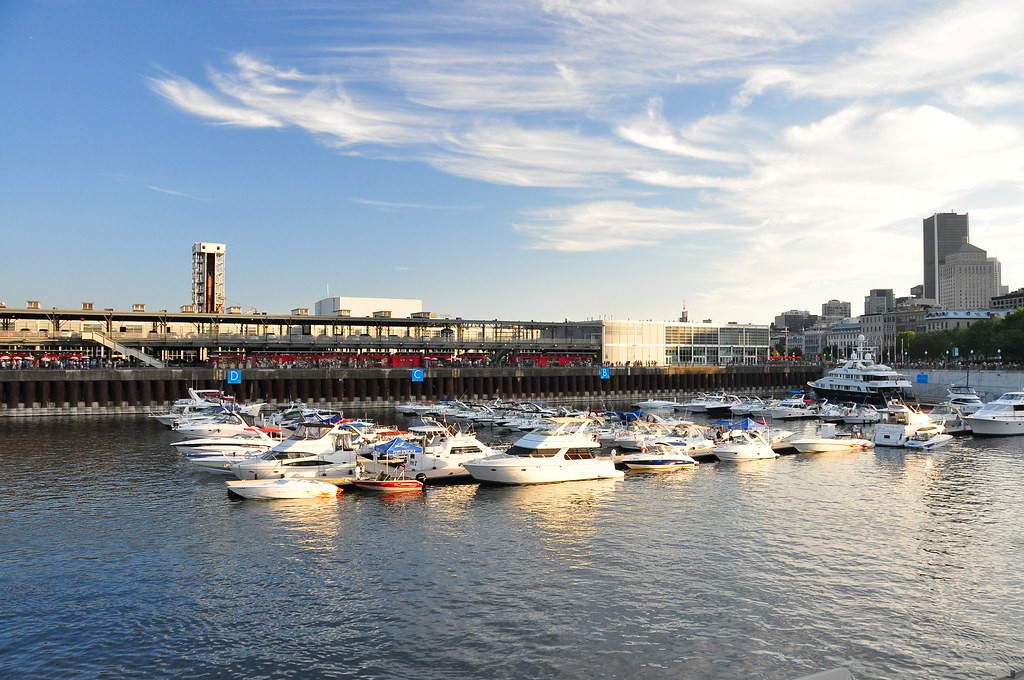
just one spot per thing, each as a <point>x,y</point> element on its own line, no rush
<point>861,379</point>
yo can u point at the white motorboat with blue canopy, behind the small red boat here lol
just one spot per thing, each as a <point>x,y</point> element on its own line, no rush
<point>432,453</point>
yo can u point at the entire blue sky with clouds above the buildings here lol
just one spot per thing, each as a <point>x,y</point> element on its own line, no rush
<point>534,160</point>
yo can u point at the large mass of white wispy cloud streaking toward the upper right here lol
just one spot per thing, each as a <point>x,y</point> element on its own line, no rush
<point>791,125</point>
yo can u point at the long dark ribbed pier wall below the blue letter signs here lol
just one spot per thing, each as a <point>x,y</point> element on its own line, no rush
<point>49,393</point>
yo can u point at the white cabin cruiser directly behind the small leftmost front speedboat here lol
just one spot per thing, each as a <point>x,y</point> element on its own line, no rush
<point>314,450</point>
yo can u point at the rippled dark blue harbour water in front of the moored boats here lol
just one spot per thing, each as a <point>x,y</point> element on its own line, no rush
<point>117,560</point>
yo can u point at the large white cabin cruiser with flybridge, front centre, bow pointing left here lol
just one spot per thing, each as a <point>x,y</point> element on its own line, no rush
<point>562,450</point>
